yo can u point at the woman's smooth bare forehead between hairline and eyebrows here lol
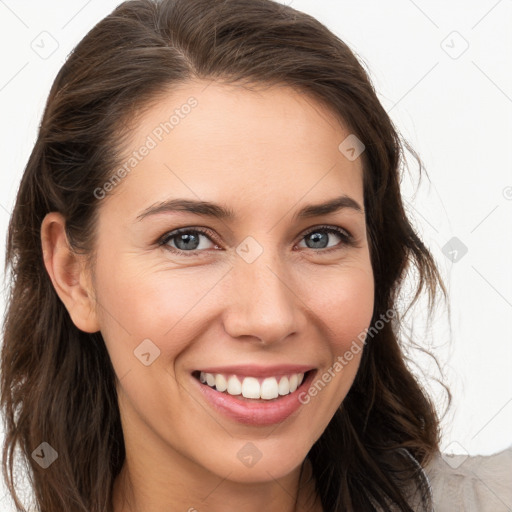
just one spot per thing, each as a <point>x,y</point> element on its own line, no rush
<point>212,141</point>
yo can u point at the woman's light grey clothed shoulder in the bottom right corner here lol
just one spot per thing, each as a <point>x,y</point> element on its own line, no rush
<point>481,483</point>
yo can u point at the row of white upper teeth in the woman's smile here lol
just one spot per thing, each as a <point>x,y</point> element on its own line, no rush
<point>251,387</point>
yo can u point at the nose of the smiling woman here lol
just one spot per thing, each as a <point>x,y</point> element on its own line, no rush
<point>264,303</point>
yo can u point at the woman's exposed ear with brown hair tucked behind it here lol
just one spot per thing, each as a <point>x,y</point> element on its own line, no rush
<point>68,273</point>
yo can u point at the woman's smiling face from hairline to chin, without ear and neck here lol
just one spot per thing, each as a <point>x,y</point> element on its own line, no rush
<point>254,299</point>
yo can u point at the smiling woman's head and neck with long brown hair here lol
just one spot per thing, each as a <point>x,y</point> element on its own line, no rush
<point>206,252</point>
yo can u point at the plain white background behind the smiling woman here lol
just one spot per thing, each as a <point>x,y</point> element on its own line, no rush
<point>454,105</point>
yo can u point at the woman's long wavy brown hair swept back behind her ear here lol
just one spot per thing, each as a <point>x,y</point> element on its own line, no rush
<point>58,384</point>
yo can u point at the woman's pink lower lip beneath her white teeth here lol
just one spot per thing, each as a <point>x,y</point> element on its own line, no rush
<point>255,413</point>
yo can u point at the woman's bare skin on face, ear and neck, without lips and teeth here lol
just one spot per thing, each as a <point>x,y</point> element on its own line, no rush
<point>265,155</point>
